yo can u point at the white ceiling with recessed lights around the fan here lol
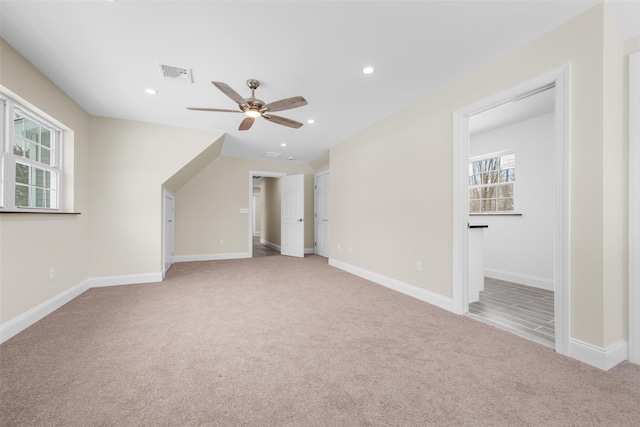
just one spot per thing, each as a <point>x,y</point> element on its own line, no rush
<point>104,54</point>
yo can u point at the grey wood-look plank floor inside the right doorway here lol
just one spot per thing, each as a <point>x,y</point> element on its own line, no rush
<point>523,310</point>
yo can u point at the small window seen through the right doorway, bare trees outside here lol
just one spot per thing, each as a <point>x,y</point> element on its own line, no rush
<point>491,183</point>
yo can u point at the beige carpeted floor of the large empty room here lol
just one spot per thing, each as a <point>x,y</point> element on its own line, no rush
<point>278,341</point>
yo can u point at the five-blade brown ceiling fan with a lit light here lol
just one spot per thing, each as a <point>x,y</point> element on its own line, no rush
<point>254,108</point>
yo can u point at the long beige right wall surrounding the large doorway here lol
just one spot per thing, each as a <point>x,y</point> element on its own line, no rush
<point>396,208</point>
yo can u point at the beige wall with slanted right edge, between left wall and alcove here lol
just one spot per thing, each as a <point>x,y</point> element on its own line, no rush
<point>129,163</point>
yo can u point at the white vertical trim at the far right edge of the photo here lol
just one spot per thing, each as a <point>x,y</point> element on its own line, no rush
<point>634,208</point>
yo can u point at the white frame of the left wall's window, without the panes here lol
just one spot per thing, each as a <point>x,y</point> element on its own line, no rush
<point>8,159</point>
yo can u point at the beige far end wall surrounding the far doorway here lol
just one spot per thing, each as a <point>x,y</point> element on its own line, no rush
<point>208,206</point>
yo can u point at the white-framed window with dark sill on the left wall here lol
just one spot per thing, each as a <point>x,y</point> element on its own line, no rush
<point>30,161</point>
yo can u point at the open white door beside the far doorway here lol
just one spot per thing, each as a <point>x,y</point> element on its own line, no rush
<point>292,215</point>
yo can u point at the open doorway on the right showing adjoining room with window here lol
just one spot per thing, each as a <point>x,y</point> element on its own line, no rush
<point>511,198</point>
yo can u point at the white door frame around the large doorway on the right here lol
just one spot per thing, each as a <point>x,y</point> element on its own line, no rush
<point>560,77</point>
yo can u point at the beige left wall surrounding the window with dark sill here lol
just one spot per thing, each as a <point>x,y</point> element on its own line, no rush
<point>30,244</point>
